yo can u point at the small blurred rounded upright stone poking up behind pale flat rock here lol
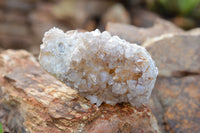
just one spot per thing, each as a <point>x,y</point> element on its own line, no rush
<point>116,13</point>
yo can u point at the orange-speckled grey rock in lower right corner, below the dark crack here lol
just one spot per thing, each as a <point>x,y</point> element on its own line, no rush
<point>176,103</point>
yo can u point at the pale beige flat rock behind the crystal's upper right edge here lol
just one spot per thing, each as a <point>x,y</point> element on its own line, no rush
<point>138,35</point>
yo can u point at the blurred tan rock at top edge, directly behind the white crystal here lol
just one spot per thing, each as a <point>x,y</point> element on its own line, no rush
<point>78,12</point>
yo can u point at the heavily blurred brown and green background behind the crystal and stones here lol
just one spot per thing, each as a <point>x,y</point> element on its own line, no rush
<point>23,22</point>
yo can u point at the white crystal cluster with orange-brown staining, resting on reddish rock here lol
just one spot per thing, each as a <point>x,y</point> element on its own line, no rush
<point>101,67</point>
